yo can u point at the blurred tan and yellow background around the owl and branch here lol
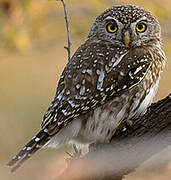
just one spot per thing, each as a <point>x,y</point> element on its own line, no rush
<point>32,37</point>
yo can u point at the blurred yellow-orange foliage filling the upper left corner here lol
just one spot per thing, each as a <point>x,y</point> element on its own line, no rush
<point>21,21</point>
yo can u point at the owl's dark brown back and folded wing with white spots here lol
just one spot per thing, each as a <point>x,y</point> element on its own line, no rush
<point>95,74</point>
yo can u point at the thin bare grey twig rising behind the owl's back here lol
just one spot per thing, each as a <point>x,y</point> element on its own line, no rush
<point>68,48</point>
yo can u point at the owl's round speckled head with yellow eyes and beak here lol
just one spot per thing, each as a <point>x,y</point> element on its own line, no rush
<point>126,26</point>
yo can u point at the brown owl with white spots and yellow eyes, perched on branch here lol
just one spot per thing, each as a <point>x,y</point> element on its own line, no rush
<point>111,78</point>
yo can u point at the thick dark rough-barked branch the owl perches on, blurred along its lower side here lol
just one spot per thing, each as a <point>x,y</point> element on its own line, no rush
<point>130,146</point>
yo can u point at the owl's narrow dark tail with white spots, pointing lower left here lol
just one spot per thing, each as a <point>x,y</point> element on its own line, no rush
<point>32,146</point>
